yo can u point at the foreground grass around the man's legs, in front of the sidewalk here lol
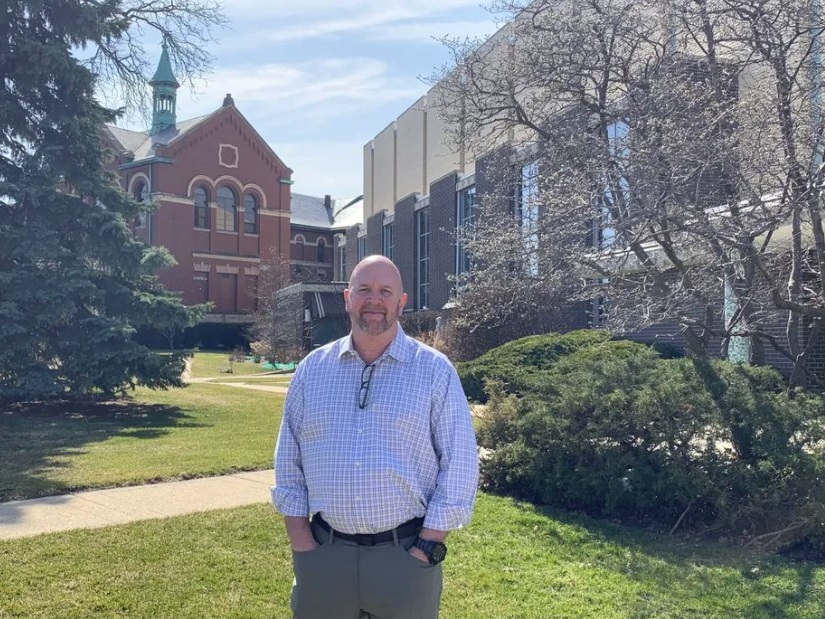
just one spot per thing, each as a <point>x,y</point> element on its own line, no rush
<point>513,561</point>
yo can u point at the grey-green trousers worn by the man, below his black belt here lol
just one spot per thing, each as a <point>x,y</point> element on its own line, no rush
<point>342,580</point>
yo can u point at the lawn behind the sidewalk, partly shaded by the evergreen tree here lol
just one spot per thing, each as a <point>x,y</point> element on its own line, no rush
<point>197,431</point>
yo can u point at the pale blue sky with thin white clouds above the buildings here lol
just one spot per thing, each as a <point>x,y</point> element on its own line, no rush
<point>318,79</point>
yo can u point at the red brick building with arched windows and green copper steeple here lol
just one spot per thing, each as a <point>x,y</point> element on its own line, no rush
<point>222,195</point>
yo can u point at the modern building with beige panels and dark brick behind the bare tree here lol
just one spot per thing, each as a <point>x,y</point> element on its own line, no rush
<point>420,188</point>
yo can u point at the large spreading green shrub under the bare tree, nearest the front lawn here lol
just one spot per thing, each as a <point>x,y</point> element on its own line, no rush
<point>615,431</point>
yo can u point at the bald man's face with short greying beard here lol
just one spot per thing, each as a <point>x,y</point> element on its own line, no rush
<point>374,299</point>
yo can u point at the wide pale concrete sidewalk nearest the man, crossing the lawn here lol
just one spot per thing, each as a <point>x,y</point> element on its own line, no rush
<point>102,508</point>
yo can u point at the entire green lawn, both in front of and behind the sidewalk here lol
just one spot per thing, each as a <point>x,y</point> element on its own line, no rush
<point>515,560</point>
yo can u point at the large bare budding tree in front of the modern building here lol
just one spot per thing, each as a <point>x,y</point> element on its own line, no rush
<point>675,144</point>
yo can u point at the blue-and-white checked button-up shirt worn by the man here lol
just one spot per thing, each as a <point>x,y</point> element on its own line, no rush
<point>410,452</point>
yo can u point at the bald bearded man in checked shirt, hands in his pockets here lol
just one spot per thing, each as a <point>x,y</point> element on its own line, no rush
<point>376,462</point>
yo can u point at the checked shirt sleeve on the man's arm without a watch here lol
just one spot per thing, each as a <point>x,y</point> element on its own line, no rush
<point>289,493</point>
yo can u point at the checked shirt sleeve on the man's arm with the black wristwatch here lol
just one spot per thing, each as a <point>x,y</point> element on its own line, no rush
<point>451,505</point>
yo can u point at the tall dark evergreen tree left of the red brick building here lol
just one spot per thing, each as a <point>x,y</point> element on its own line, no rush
<point>75,283</point>
